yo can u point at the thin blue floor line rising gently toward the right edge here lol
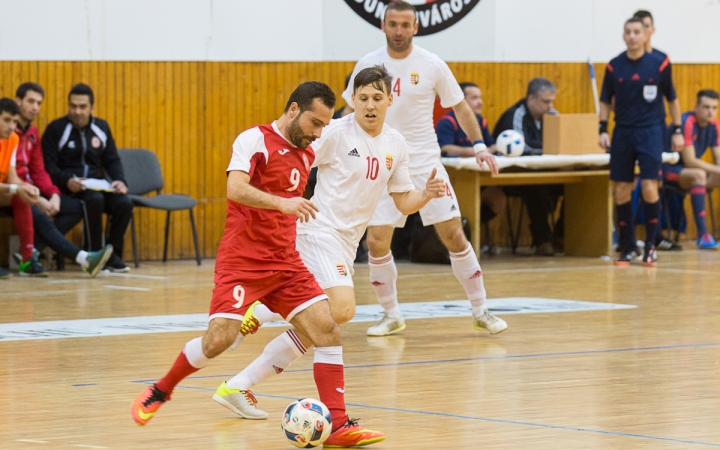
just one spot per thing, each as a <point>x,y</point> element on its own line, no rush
<point>482,358</point>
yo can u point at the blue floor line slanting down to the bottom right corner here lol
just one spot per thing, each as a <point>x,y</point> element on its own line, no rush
<point>487,419</point>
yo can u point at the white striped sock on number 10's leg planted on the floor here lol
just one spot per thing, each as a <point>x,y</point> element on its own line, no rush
<point>277,356</point>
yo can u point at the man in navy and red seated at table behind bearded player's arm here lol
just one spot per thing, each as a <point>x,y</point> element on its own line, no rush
<point>454,142</point>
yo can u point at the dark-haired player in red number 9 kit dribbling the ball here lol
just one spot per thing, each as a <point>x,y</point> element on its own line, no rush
<point>257,259</point>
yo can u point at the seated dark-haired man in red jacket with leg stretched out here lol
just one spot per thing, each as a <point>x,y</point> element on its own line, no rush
<point>30,167</point>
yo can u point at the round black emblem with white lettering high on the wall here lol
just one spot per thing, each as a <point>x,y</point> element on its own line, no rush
<point>432,15</point>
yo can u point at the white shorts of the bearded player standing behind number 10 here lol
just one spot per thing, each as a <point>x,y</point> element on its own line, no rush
<point>436,211</point>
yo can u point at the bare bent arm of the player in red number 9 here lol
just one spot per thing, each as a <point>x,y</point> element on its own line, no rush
<point>239,190</point>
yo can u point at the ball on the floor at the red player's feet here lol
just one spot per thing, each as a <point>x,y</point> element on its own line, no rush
<point>306,423</point>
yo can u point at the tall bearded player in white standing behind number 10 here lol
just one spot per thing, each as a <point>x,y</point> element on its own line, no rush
<point>419,76</point>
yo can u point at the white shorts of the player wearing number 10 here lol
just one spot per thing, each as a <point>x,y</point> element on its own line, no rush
<point>327,257</point>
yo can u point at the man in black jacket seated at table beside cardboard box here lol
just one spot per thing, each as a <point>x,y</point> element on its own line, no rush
<point>525,117</point>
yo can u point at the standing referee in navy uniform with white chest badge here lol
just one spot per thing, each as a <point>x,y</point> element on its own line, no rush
<point>638,81</point>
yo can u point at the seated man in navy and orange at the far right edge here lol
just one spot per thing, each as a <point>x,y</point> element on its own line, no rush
<point>700,130</point>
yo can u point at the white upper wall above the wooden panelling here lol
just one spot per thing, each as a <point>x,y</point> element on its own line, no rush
<point>328,30</point>
